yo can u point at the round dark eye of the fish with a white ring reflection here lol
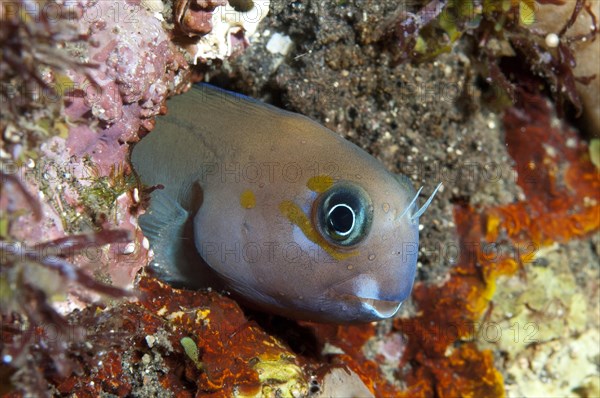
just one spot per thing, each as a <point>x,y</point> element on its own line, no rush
<point>344,214</point>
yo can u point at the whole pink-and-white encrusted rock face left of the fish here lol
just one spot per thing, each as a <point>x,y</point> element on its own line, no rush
<point>110,67</point>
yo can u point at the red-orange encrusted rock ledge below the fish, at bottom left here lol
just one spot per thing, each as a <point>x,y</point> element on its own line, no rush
<point>230,348</point>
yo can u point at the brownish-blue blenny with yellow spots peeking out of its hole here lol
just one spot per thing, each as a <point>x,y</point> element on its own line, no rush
<point>283,213</point>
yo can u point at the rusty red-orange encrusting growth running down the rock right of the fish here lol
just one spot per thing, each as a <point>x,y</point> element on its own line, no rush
<point>562,195</point>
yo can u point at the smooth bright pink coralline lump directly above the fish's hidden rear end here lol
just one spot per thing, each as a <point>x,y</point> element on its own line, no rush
<point>136,68</point>
